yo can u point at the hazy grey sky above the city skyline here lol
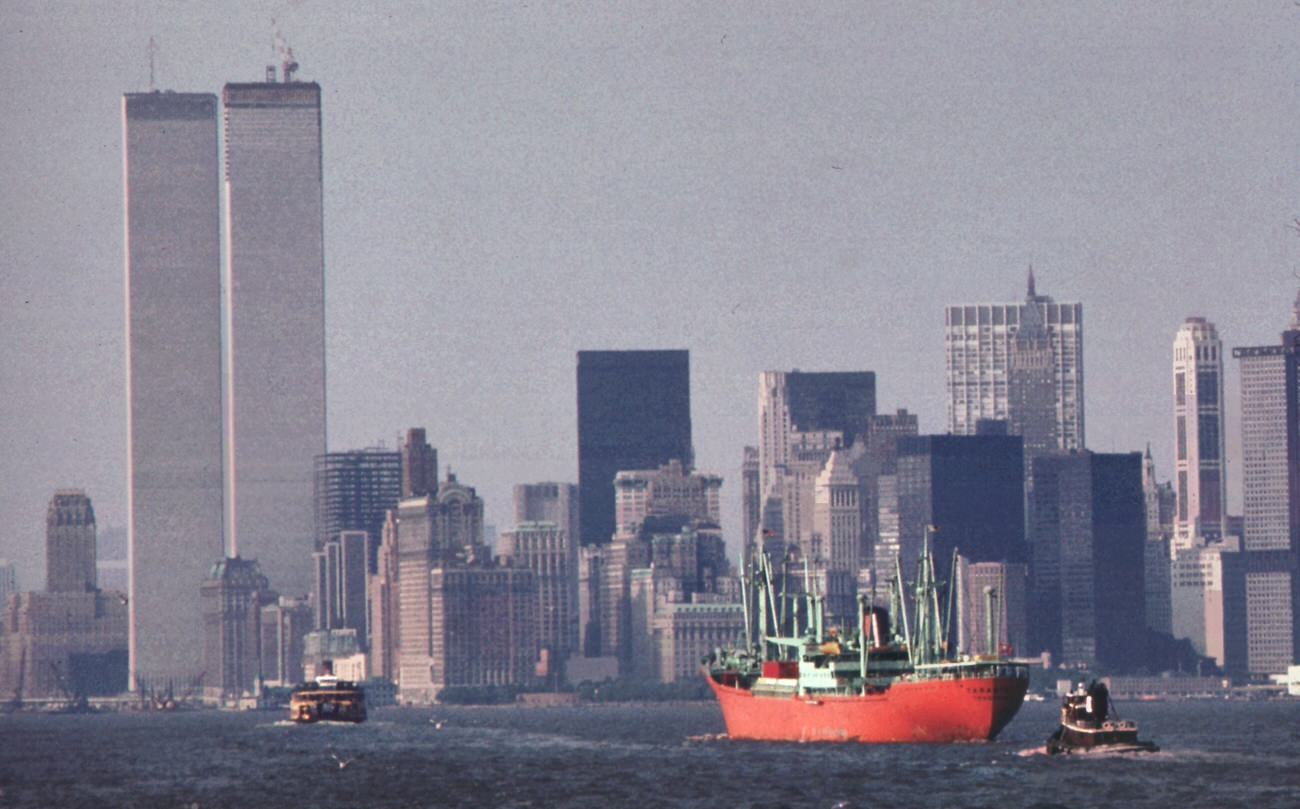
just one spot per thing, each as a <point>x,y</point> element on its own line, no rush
<point>769,187</point>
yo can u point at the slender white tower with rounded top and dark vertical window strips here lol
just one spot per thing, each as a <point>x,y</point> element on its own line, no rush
<point>1199,435</point>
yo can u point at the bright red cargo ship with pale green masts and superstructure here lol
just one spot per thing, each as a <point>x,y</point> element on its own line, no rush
<point>874,687</point>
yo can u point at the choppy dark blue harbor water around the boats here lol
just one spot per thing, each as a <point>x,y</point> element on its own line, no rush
<point>1214,755</point>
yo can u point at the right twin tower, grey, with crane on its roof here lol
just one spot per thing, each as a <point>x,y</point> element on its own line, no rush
<point>276,330</point>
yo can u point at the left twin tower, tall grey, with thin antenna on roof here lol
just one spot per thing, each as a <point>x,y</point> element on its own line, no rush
<point>174,366</point>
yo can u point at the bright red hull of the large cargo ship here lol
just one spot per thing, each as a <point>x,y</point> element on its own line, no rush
<point>974,710</point>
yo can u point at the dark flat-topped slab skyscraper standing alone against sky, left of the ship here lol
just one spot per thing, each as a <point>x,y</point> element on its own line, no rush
<point>634,413</point>
